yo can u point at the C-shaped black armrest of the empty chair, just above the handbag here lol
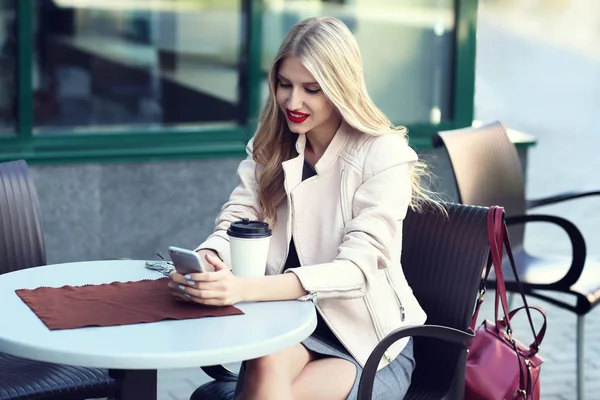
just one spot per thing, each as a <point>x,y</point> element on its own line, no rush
<point>577,243</point>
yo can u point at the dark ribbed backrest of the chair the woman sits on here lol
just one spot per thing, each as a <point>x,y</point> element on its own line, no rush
<point>443,258</point>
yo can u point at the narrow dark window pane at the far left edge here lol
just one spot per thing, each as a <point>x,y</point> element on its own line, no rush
<point>8,59</point>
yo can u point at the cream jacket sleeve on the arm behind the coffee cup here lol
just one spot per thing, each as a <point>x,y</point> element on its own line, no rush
<point>243,203</point>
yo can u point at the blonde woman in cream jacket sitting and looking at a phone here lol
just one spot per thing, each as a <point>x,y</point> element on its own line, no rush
<point>334,180</point>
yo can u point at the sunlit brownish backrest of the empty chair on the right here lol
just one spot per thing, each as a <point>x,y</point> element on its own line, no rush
<point>487,170</point>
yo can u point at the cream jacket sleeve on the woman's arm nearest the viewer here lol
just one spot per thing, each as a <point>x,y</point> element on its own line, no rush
<point>372,238</point>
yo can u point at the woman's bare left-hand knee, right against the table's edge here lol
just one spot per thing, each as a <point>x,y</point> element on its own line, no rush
<point>272,376</point>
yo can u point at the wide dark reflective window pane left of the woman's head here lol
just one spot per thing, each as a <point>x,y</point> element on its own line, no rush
<point>141,63</point>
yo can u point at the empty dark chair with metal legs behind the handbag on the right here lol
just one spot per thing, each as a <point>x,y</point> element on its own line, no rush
<point>488,171</point>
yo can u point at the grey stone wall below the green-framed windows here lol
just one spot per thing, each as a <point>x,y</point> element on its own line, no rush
<point>98,211</point>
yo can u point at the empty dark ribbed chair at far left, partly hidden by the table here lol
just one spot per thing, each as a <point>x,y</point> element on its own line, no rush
<point>22,246</point>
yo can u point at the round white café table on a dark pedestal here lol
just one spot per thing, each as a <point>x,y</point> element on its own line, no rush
<point>141,349</point>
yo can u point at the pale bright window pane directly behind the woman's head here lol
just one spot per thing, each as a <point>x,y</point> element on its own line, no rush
<point>407,48</point>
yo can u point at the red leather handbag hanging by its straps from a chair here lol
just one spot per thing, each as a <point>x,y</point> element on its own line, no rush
<point>498,365</point>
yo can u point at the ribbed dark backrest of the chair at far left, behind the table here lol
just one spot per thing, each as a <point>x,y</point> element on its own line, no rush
<point>21,234</point>
